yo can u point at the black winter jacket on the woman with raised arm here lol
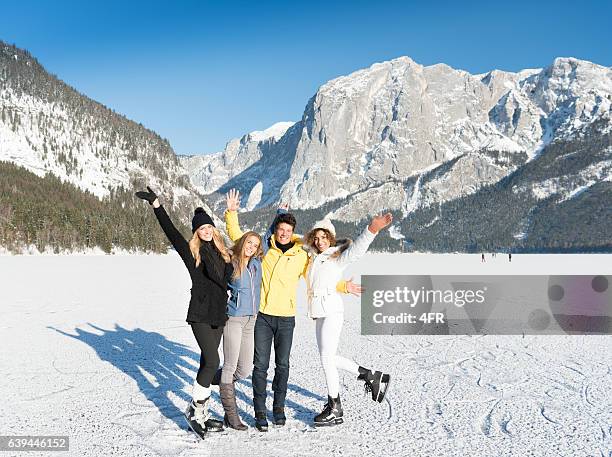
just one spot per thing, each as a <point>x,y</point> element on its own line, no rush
<point>208,302</point>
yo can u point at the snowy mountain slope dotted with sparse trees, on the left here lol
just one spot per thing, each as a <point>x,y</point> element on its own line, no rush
<point>48,127</point>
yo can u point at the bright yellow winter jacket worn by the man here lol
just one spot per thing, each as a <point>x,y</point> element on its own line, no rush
<point>280,272</point>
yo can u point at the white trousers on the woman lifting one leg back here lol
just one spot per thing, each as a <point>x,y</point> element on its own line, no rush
<point>328,336</point>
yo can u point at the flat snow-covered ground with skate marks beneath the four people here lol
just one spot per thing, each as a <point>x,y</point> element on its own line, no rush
<point>97,348</point>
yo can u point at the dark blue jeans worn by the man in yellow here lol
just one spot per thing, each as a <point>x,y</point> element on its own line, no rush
<point>269,329</point>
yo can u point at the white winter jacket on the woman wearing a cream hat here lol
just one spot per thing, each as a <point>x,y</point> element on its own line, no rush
<point>325,271</point>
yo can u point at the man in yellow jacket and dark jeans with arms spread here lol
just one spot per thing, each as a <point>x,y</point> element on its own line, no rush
<point>283,264</point>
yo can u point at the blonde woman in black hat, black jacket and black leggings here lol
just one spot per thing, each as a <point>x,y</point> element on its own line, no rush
<point>208,262</point>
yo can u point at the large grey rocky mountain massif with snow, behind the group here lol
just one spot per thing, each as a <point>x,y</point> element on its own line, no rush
<point>403,136</point>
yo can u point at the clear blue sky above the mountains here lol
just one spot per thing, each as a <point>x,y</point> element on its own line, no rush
<point>201,73</point>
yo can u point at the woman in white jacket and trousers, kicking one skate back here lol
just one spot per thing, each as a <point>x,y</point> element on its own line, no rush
<point>327,263</point>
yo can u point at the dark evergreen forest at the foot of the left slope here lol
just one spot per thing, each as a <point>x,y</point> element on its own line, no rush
<point>51,214</point>
